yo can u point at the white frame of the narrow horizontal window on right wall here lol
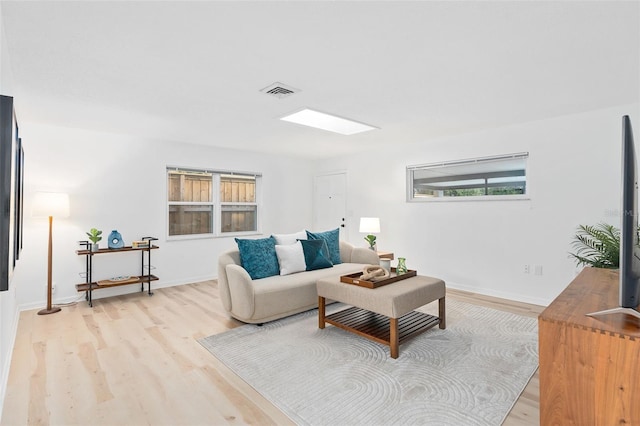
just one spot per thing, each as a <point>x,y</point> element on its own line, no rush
<point>410,180</point>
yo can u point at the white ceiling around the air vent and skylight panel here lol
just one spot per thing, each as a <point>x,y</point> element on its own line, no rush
<point>192,71</point>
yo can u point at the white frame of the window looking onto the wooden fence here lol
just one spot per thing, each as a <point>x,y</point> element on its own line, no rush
<point>216,203</point>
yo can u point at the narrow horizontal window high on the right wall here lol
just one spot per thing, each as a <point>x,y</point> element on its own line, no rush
<point>499,177</point>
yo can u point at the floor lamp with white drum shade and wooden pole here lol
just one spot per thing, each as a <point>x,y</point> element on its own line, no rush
<point>50,204</point>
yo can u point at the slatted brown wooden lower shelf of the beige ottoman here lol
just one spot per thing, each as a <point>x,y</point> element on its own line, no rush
<point>380,328</point>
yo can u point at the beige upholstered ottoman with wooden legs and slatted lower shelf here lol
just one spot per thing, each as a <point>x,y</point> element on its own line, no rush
<point>384,314</point>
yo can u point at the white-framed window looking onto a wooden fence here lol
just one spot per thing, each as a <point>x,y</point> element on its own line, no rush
<point>211,203</point>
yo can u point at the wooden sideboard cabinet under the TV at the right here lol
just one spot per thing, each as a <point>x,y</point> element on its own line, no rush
<point>589,366</point>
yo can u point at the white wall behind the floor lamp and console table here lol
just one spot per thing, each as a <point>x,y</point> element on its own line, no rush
<point>119,182</point>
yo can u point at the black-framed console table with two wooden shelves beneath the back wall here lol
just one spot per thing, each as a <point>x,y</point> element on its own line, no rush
<point>89,286</point>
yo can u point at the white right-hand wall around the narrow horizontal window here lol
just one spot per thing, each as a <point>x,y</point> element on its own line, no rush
<point>482,246</point>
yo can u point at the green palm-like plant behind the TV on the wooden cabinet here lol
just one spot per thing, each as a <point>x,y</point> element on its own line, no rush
<point>597,246</point>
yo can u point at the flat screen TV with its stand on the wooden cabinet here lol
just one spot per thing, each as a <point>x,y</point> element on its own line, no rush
<point>629,250</point>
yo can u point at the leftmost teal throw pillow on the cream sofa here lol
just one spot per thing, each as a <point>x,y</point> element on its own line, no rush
<point>258,257</point>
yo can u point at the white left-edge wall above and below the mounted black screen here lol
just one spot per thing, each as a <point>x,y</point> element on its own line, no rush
<point>8,302</point>
